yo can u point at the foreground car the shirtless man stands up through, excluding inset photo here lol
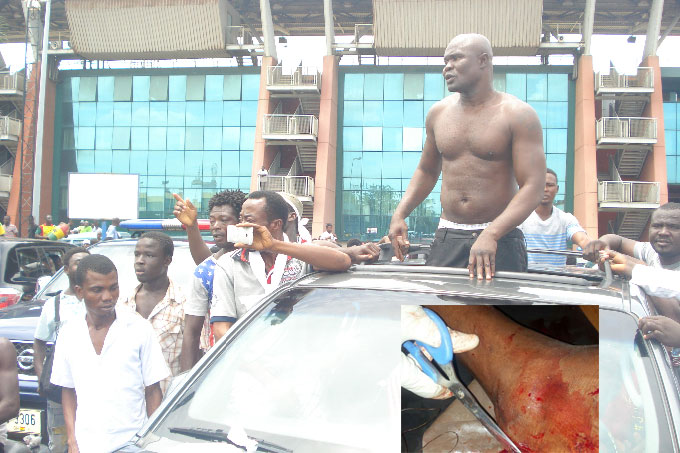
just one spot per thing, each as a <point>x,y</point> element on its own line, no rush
<point>314,366</point>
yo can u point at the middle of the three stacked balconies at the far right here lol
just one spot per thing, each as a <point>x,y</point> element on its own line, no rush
<point>625,131</point>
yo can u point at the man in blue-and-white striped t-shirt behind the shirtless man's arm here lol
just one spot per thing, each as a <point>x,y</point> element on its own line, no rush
<point>548,227</point>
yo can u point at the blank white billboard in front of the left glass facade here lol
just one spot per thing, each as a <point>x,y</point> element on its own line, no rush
<point>103,196</point>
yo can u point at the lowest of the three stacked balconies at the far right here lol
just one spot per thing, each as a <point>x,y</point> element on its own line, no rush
<point>625,195</point>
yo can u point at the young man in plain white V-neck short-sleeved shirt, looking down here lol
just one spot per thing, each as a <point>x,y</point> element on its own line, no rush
<point>109,363</point>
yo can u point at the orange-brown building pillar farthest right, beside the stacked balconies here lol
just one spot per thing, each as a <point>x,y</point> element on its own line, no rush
<point>655,165</point>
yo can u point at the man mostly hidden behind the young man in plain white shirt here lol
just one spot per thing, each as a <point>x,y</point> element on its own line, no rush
<point>46,331</point>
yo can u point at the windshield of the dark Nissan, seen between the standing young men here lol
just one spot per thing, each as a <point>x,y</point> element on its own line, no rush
<point>122,254</point>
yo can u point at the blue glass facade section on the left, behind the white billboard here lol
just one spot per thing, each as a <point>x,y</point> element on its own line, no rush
<point>188,132</point>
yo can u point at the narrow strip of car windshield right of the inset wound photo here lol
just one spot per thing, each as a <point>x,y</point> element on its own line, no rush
<point>632,411</point>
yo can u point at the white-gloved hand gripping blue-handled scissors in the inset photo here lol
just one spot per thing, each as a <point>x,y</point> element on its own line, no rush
<point>416,325</point>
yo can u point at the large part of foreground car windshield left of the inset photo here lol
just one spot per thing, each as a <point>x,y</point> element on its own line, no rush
<point>312,372</point>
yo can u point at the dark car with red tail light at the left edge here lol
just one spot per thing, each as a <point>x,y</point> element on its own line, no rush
<point>23,262</point>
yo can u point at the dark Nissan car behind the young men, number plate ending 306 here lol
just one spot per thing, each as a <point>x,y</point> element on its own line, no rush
<point>18,322</point>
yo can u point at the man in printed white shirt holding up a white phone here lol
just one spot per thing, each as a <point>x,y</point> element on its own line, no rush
<point>245,275</point>
